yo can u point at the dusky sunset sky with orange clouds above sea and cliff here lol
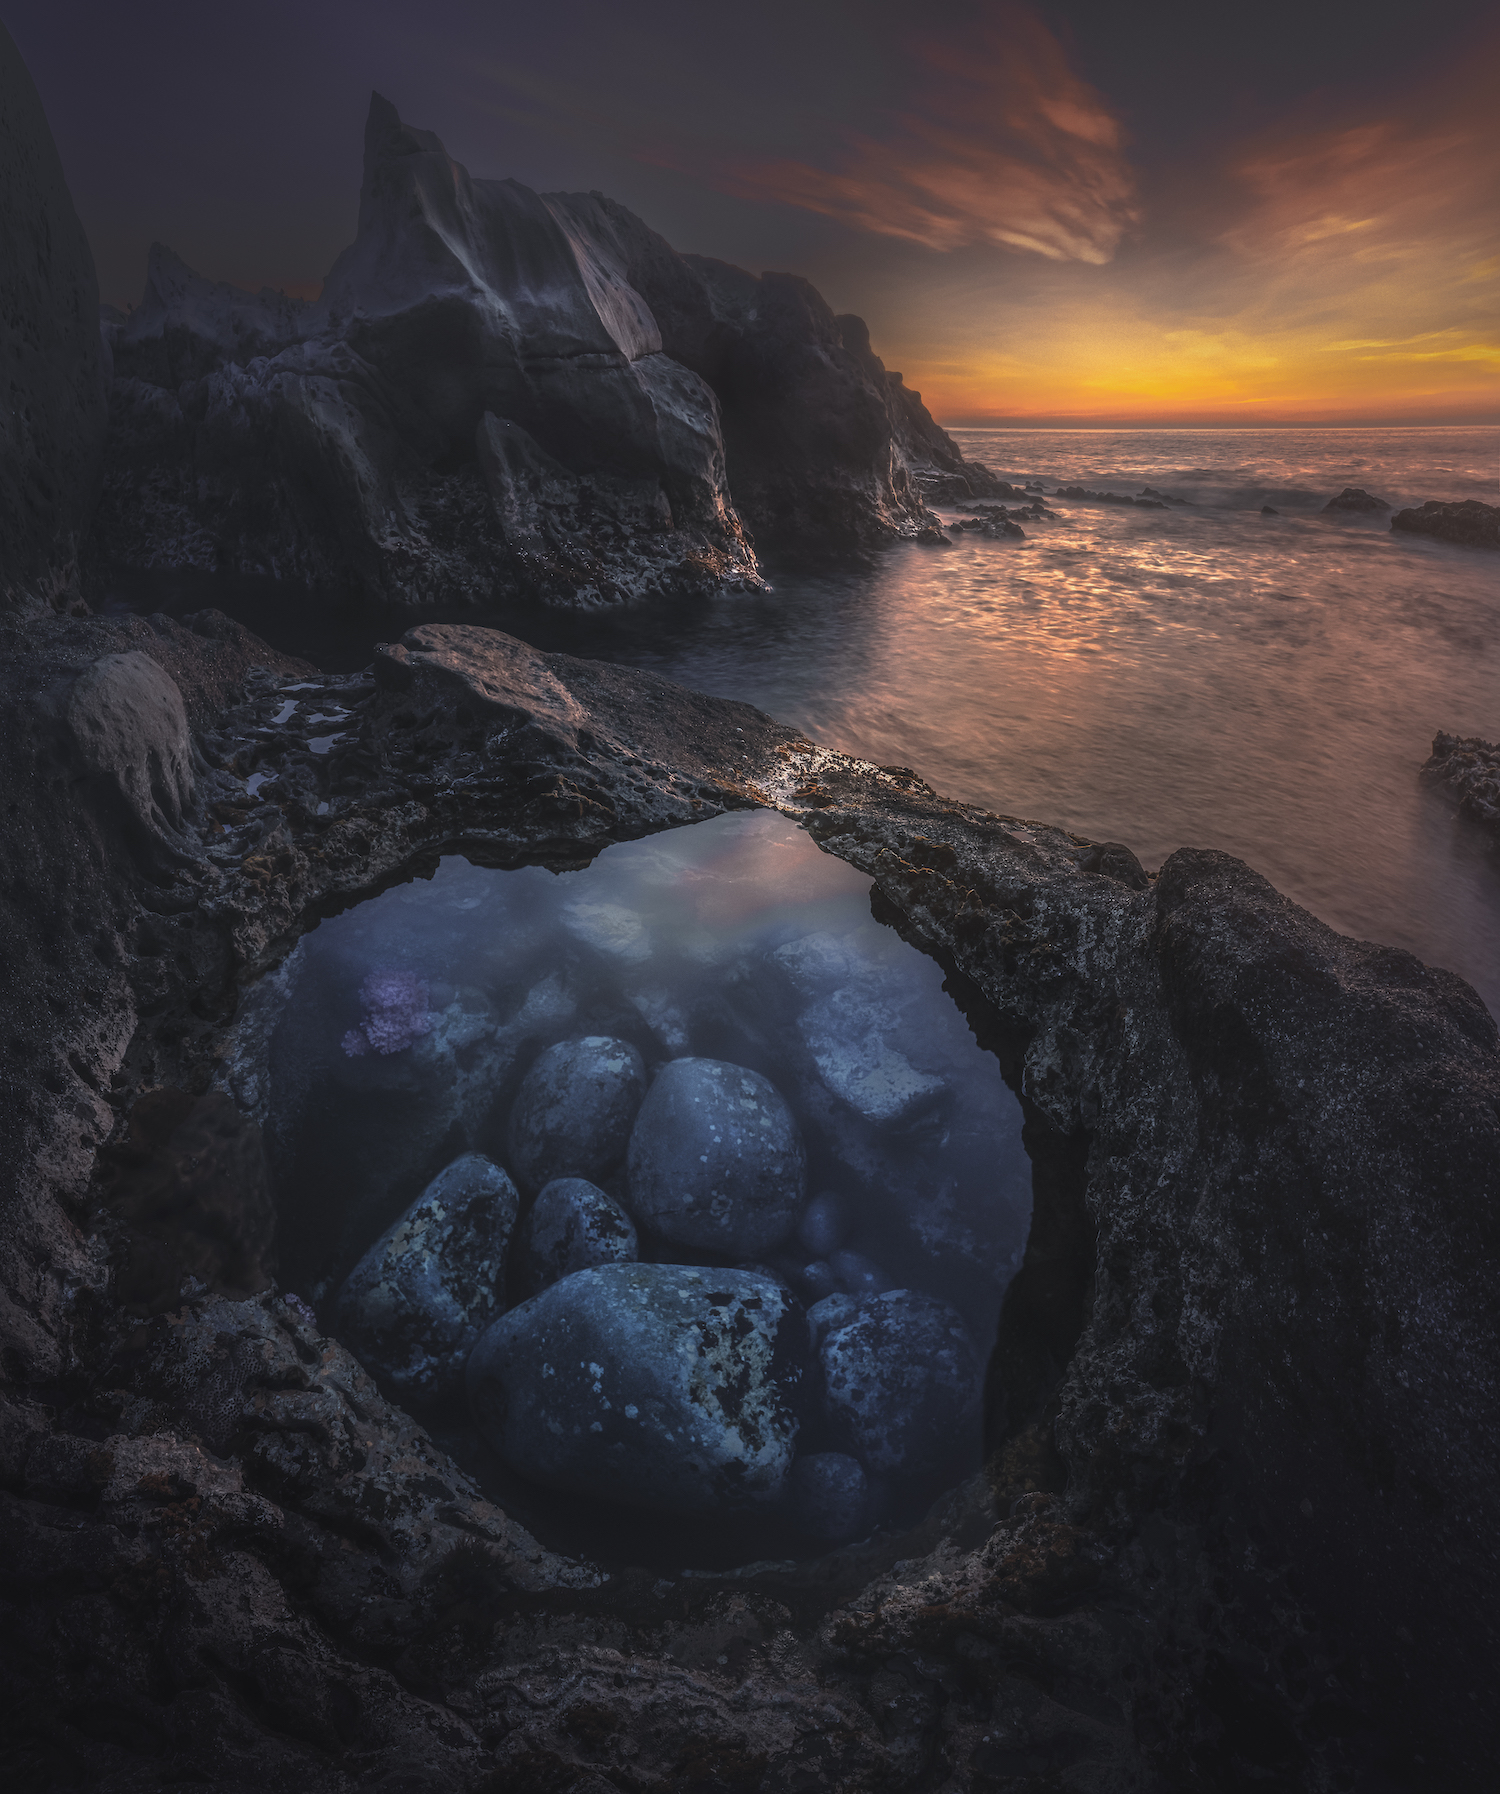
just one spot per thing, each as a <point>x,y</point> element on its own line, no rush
<point>1068,214</point>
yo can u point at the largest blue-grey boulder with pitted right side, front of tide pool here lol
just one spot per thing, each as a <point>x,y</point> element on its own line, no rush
<point>656,1386</point>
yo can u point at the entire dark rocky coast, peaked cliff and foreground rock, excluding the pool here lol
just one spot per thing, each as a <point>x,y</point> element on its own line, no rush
<point>1239,1515</point>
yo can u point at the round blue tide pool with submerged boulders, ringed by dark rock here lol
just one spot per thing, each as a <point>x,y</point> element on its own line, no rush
<point>726,1194</point>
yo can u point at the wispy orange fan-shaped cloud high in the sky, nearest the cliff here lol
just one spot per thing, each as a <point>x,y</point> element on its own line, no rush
<point>1000,144</point>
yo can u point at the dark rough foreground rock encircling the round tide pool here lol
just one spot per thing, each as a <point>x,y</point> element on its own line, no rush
<point>1241,1519</point>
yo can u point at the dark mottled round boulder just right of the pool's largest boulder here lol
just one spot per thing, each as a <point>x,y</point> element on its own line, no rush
<point>902,1380</point>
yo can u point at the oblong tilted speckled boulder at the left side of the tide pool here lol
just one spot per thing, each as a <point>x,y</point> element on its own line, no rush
<point>419,1300</point>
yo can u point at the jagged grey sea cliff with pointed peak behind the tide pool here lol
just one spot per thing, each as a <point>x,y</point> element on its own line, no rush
<point>503,394</point>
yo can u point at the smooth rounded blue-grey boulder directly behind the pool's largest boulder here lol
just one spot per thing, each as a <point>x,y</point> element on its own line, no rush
<point>715,1160</point>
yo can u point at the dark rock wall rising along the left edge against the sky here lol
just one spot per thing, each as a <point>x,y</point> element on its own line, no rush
<point>55,406</point>
